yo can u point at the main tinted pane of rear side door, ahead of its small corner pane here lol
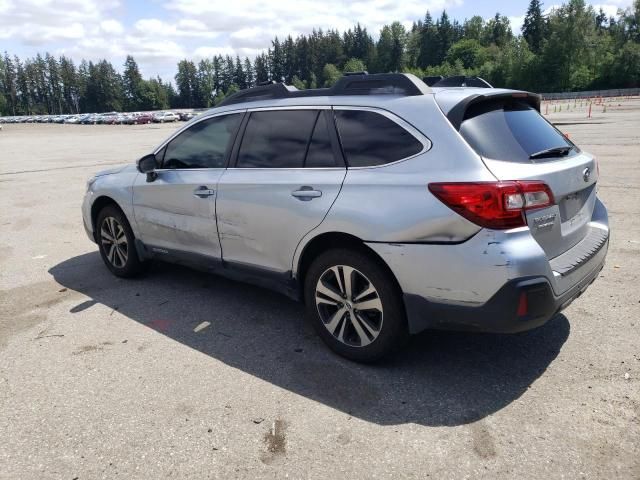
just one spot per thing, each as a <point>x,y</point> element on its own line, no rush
<point>276,139</point>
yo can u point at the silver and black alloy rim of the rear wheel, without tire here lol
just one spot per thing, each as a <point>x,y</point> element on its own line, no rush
<point>349,306</point>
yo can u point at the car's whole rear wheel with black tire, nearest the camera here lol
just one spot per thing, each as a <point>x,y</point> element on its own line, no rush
<point>386,327</point>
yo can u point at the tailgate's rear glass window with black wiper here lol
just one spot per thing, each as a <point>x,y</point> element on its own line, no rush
<point>511,131</point>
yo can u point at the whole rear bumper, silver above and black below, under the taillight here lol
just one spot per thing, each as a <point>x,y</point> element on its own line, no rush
<point>479,284</point>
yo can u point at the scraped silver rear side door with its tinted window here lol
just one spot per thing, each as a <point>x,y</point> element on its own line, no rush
<point>287,173</point>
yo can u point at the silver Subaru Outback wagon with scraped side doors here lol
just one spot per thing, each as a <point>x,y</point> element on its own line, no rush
<point>385,205</point>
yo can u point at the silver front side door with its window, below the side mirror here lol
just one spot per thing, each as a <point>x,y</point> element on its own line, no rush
<point>175,212</point>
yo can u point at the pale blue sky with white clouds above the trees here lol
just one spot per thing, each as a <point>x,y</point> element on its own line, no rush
<point>159,33</point>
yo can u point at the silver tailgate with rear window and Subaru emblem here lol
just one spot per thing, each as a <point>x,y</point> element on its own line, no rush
<point>517,143</point>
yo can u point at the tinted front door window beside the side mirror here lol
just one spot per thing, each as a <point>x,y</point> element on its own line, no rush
<point>204,145</point>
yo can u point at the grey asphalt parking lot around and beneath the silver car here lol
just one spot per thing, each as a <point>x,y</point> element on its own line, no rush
<point>185,375</point>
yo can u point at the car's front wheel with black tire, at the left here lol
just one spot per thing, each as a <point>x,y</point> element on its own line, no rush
<point>131,266</point>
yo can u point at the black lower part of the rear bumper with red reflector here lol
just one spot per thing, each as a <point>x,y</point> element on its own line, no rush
<point>534,297</point>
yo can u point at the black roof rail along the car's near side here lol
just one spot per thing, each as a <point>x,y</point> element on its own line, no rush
<point>356,83</point>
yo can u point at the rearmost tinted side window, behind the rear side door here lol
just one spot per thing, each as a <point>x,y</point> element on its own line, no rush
<point>369,138</point>
